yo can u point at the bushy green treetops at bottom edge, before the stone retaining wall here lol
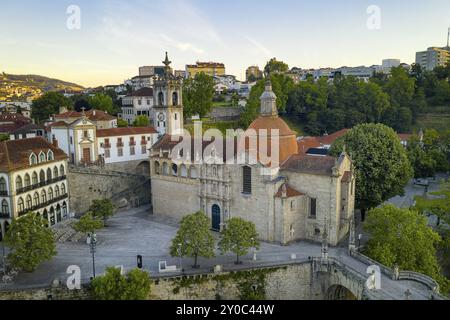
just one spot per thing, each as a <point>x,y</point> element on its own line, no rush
<point>135,285</point>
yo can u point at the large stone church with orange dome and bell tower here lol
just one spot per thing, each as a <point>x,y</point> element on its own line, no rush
<point>300,197</point>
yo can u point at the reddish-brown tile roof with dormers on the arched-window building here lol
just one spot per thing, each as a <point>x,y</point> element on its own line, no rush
<point>15,154</point>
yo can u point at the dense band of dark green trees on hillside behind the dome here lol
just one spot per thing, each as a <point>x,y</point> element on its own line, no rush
<point>328,106</point>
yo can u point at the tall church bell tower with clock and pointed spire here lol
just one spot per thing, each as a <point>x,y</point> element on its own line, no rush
<point>168,102</point>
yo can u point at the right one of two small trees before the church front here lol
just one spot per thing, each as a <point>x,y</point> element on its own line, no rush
<point>238,237</point>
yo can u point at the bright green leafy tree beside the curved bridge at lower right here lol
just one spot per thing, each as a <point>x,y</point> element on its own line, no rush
<point>402,237</point>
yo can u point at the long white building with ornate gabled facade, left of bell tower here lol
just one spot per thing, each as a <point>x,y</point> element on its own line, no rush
<point>87,144</point>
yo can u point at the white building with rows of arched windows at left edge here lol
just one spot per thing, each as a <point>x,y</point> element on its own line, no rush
<point>32,179</point>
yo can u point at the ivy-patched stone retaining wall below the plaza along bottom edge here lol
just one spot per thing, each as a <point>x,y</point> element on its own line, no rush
<point>280,283</point>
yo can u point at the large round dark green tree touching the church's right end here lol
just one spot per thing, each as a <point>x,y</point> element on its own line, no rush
<point>381,163</point>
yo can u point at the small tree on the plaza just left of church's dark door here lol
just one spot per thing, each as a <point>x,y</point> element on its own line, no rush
<point>194,238</point>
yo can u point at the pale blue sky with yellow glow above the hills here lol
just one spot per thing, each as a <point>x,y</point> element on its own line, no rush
<point>115,37</point>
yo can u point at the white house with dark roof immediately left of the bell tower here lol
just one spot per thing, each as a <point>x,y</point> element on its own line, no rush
<point>139,103</point>
